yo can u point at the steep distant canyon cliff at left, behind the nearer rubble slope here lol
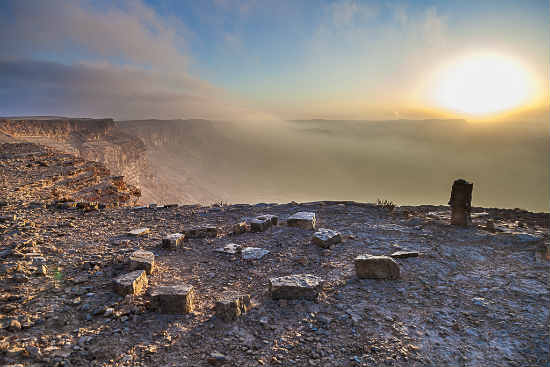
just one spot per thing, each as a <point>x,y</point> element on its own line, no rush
<point>98,140</point>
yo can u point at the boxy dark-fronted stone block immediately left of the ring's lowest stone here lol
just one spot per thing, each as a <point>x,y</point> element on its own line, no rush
<point>174,299</point>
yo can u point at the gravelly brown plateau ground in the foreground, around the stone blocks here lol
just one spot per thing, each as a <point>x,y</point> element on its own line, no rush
<point>476,296</point>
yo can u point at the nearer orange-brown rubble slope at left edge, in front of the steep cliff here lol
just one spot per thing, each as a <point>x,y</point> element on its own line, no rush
<point>35,173</point>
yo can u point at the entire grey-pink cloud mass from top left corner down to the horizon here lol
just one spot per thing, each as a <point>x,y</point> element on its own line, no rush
<point>124,62</point>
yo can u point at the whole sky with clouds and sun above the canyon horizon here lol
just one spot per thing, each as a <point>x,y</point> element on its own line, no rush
<point>259,60</point>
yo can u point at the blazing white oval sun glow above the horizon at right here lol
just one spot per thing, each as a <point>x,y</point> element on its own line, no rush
<point>482,84</point>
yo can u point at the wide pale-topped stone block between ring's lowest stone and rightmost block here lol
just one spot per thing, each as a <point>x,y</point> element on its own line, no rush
<point>299,286</point>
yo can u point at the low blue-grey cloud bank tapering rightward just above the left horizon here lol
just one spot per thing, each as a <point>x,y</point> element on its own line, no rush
<point>39,87</point>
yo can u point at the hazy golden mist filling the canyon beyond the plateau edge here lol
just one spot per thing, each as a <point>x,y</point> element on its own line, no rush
<point>409,162</point>
